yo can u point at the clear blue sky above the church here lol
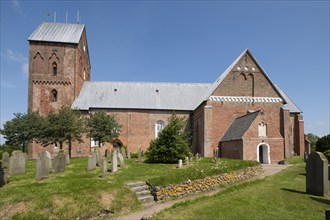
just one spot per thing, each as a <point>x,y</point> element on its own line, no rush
<point>180,41</point>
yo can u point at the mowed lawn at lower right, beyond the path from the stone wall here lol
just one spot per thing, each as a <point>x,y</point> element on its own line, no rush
<point>281,196</point>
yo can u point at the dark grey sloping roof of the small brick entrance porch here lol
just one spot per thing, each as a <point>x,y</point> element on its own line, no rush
<point>239,126</point>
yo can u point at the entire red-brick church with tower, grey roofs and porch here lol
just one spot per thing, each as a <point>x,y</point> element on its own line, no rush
<point>243,112</point>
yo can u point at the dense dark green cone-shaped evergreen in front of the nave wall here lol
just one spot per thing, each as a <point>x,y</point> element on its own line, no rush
<point>172,143</point>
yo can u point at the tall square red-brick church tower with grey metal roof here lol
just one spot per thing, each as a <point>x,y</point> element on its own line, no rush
<point>58,66</point>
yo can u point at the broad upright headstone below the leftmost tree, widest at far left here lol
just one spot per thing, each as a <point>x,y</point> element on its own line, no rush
<point>17,163</point>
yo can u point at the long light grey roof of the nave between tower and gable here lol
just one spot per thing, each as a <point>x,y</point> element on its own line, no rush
<point>140,95</point>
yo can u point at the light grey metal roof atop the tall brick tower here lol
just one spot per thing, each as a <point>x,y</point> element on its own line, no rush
<point>58,32</point>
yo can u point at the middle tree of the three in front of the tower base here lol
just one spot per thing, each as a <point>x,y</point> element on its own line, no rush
<point>64,126</point>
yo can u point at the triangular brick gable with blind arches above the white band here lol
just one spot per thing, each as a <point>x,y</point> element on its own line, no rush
<point>245,77</point>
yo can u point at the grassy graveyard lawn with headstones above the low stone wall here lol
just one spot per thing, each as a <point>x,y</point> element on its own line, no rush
<point>77,193</point>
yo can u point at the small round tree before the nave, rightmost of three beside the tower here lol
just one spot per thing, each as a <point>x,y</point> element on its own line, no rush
<point>103,127</point>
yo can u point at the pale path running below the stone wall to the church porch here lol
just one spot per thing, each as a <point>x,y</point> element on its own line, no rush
<point>269,169</point>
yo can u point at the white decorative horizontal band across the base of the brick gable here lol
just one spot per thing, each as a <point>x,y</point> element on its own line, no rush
<point>244,99</point>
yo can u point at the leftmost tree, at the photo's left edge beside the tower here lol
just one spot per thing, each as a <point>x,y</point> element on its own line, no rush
<point>22,129</point>
